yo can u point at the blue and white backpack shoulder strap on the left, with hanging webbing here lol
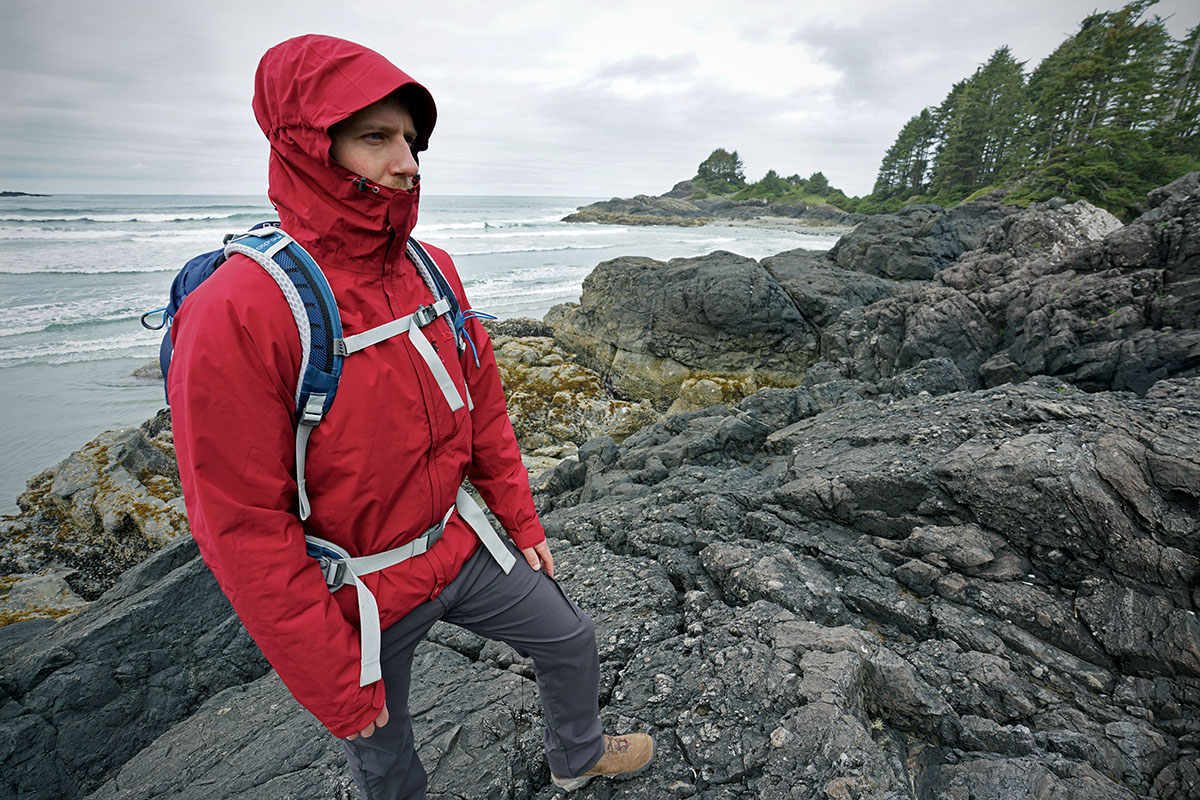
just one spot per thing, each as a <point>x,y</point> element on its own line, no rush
<point>315,311</point>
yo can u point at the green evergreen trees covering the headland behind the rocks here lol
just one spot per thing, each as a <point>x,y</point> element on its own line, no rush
<point>1109,116</point>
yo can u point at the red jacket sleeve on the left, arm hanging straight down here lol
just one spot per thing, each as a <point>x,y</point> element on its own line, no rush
<point>231,386</point>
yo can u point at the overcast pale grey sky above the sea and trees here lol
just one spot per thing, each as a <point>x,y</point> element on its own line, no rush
<point>535,98</point>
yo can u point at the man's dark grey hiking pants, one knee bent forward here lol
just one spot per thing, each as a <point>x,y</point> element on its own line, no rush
<point>525,610</point>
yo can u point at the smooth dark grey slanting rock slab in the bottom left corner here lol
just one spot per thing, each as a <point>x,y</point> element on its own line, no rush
<point>85,695</point>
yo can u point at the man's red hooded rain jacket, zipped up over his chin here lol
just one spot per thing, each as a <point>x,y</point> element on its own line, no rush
<point>388,460</point>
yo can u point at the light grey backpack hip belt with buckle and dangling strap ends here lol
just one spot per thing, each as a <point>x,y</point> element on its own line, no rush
<point>340,569</point>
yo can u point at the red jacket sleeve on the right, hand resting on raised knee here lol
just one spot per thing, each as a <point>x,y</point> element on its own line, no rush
<point>496,467</point>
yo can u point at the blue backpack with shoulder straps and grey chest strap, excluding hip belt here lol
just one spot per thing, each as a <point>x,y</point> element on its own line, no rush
<point>315,312</point>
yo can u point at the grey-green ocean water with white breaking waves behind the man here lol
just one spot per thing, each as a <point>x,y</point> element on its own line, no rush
<point>79,272</point>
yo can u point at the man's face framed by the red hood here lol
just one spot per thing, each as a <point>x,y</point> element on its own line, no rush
<point>376,143</point>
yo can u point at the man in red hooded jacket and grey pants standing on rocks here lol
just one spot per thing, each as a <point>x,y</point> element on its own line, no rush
<point>385,467</point>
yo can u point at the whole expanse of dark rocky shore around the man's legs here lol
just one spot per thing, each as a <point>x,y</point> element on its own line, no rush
<point>916,519</point>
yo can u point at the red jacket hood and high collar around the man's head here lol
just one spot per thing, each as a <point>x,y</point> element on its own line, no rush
<point>303,88</point>
